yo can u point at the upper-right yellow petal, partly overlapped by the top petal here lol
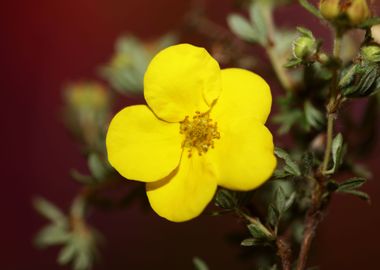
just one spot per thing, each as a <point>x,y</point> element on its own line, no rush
<point>244,93</point>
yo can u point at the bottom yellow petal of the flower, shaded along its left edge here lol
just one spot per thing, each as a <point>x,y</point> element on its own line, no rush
<point>186,192</point>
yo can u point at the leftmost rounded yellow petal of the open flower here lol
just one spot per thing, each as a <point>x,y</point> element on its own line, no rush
<point>142,147</point>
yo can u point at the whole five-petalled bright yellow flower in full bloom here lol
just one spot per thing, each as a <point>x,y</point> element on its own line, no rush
<point>203,127</point>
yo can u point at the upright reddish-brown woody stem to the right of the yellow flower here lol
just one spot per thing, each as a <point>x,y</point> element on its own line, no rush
<point>316,212</point>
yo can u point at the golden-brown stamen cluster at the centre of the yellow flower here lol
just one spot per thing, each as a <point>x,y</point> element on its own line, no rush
<point>199,132</point>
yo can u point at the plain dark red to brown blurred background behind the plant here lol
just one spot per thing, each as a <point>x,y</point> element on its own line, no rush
<point>45,43</point>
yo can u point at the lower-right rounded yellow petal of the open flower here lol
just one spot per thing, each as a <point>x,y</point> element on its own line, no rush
<point>243,156</point>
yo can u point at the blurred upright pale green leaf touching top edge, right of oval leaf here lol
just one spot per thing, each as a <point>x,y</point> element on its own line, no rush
<point>256,12</point>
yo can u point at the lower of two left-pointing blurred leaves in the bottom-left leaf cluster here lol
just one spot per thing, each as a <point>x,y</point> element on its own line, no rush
<point>52,235</point>
